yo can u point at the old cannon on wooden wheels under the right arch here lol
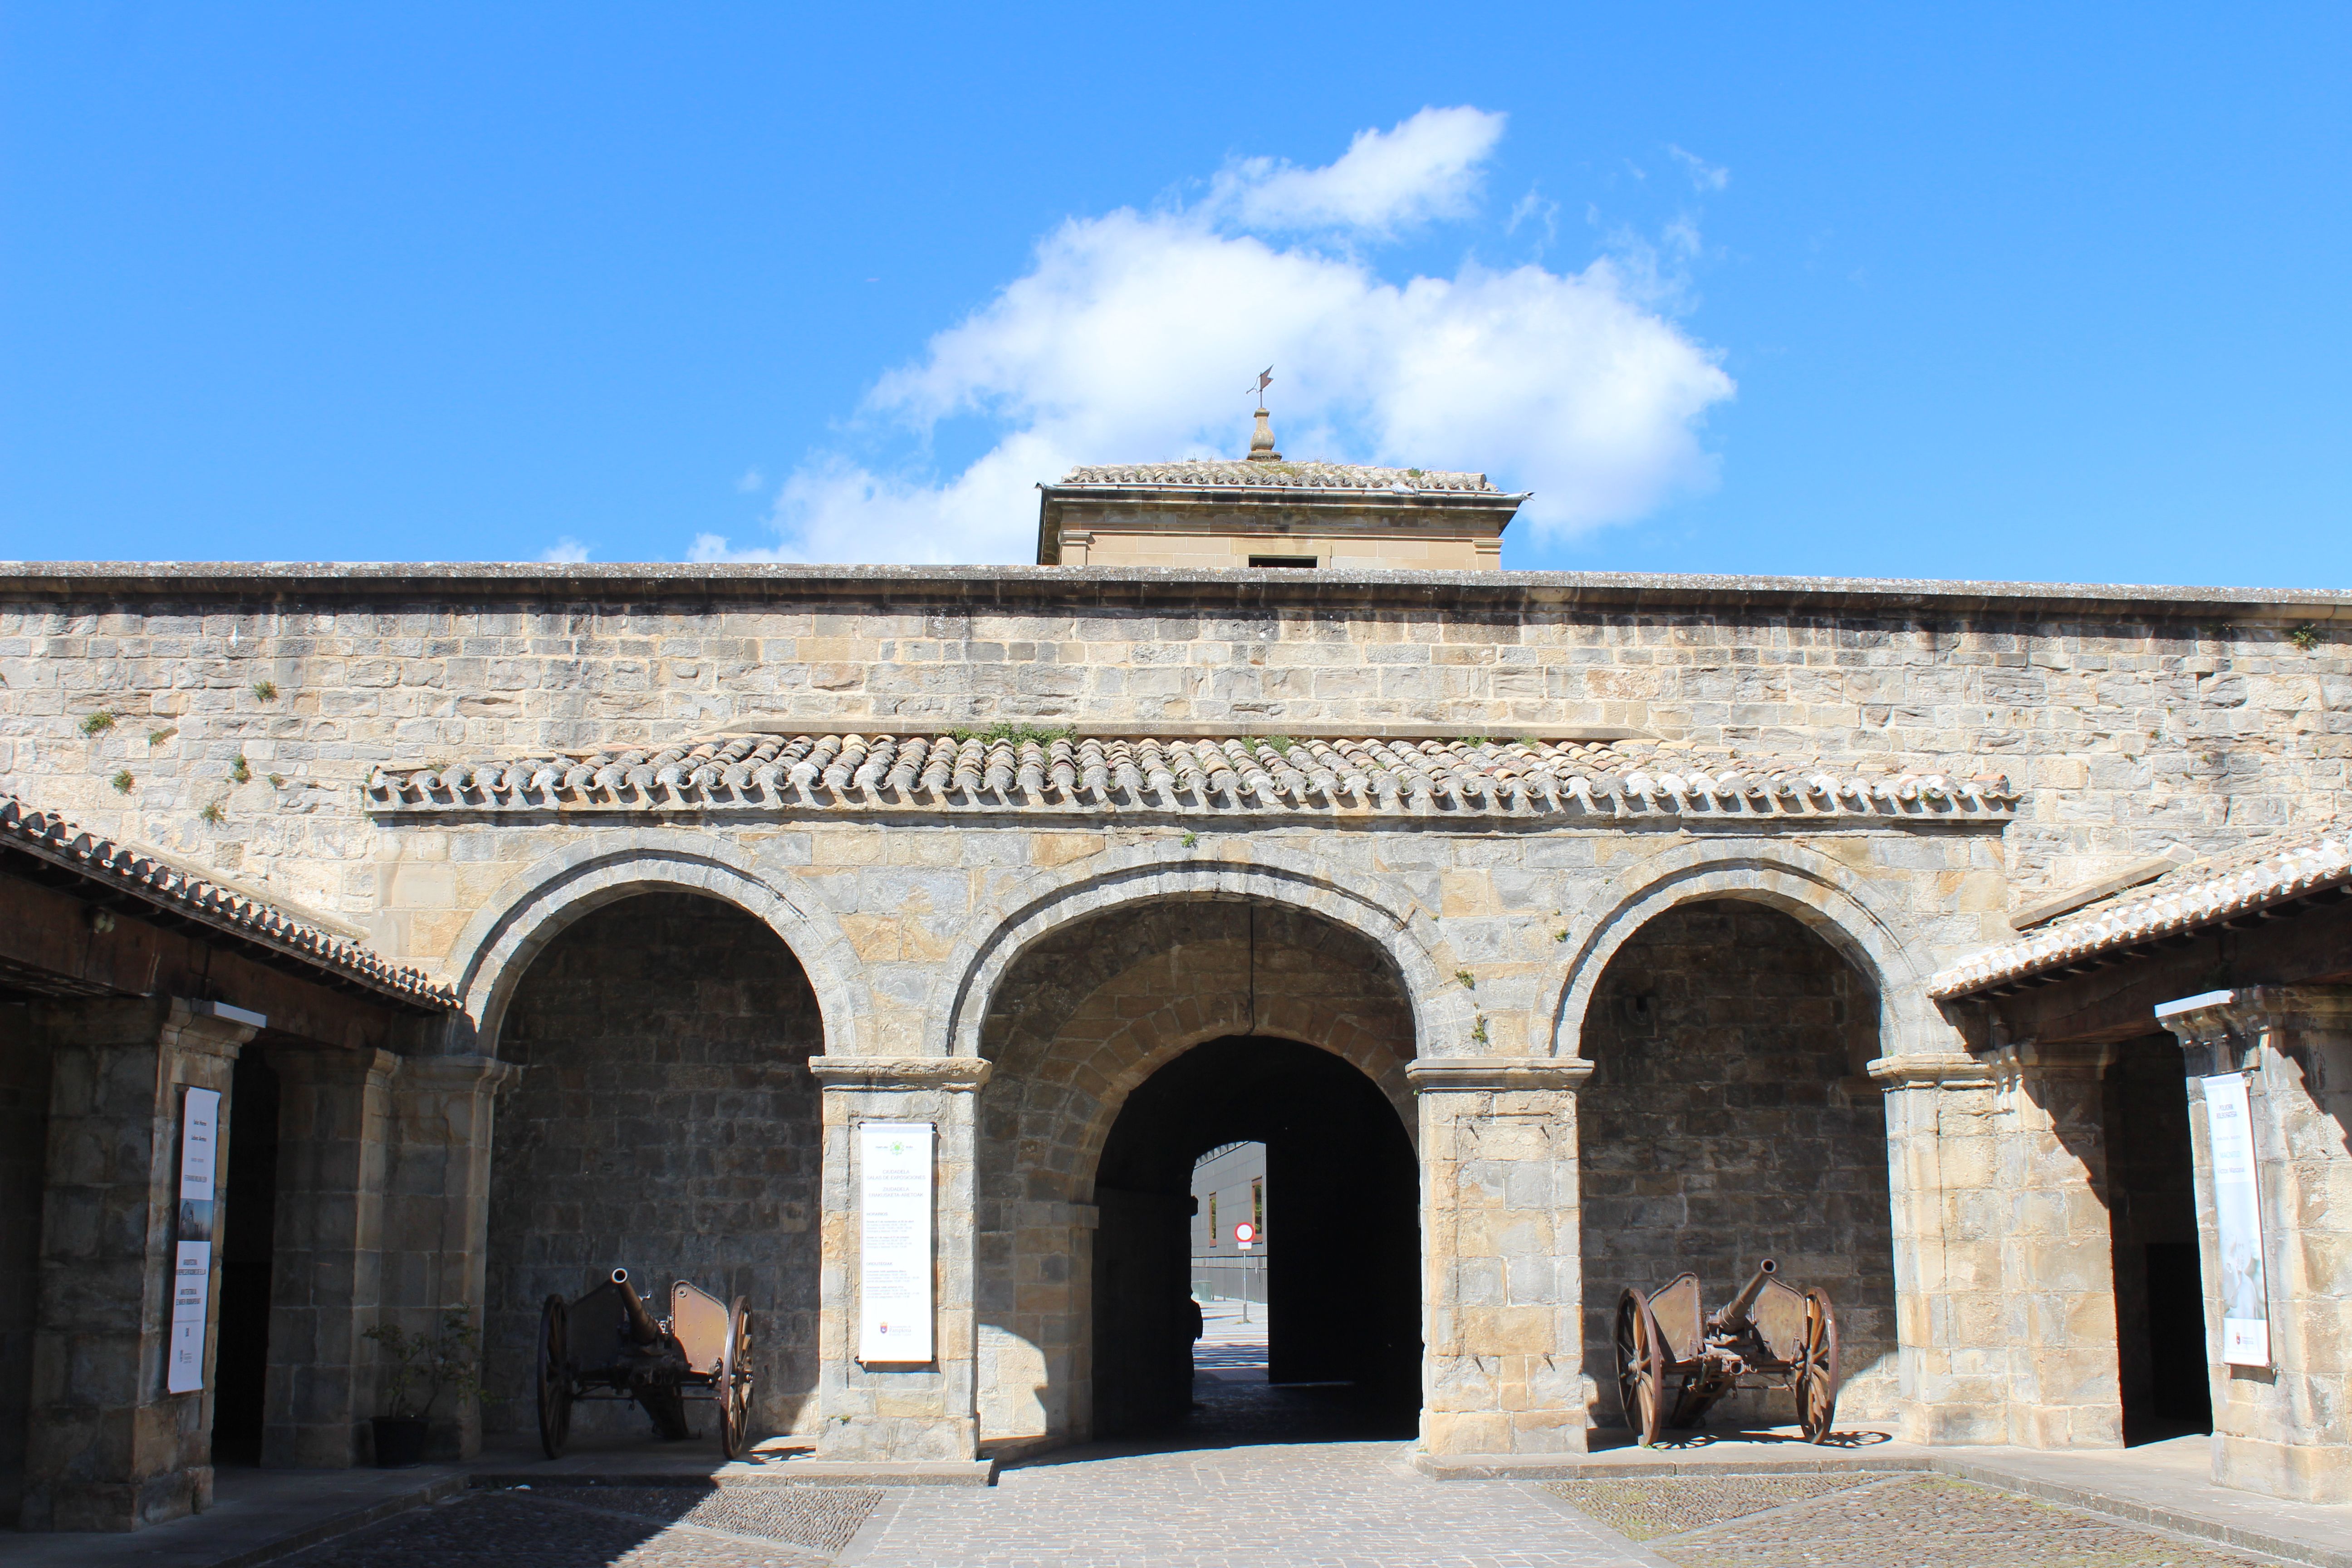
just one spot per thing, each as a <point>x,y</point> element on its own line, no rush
<point>1676,1362</point>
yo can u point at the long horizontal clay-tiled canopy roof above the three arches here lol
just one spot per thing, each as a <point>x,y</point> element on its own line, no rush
<point>1182,775</point>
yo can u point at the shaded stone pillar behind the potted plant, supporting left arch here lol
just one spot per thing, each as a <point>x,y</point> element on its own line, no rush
<point>436,1212</point>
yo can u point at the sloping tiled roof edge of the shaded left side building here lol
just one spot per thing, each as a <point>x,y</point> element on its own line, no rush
<point>53,838</point>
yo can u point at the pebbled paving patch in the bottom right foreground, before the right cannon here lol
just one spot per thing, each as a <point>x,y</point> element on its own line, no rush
<point>1873,1522</point>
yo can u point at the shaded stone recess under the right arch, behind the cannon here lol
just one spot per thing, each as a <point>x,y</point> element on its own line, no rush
<point>1730,1120</point>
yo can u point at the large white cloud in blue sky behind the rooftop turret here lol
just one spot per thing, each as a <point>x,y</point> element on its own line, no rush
<point>1135,333</point>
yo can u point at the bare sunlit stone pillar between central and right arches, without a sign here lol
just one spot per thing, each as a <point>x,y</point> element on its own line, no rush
<point>1504,1257</point>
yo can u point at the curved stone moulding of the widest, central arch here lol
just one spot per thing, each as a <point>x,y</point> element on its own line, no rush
<point>1158,873</point>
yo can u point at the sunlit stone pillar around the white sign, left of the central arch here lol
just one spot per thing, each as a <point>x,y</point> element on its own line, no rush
<point>902,1412</point>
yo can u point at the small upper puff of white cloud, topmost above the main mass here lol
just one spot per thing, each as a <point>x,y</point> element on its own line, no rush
<point>1429,168</point>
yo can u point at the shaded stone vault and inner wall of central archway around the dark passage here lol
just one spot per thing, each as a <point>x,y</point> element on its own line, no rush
<point>1081,1024</point>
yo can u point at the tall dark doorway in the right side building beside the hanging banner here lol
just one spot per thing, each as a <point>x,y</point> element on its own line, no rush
<point>2153,1221</point>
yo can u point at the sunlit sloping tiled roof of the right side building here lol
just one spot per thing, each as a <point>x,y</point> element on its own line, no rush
<point>2198,894</point>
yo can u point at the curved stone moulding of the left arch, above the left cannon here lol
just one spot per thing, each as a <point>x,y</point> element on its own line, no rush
<point>544,899</point>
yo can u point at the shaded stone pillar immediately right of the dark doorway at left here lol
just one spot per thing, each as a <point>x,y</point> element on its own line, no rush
<point>326,1275</point>
